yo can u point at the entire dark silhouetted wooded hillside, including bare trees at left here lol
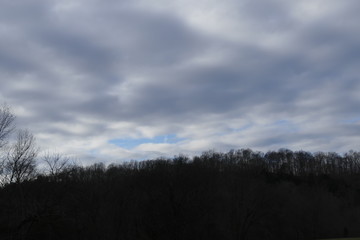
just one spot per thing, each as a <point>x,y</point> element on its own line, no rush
<point>236,195</point>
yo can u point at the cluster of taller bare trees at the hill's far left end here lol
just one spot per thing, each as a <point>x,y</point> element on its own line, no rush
<point>19,157</point>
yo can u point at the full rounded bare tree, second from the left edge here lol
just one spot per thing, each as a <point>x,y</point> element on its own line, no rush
<point>20,161</point>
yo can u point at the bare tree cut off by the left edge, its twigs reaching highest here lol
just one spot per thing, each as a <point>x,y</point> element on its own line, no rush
<point>6,123</point>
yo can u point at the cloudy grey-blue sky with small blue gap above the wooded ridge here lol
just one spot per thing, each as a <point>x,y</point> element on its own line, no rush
<point>115,81</point>
